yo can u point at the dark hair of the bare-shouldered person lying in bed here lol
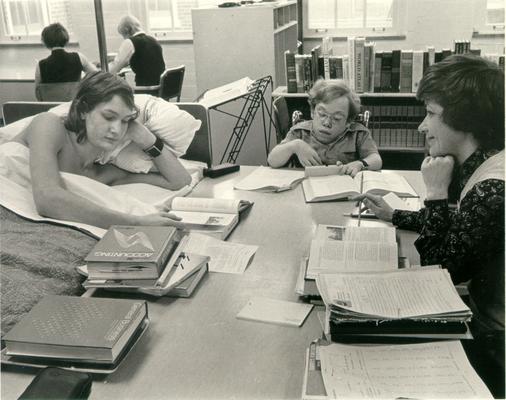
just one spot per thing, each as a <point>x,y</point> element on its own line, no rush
<point>96,87</point>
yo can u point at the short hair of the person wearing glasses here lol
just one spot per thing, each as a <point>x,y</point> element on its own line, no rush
<point>325,91</point>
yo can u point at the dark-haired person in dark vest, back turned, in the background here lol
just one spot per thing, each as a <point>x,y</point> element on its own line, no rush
<point>60,66</point>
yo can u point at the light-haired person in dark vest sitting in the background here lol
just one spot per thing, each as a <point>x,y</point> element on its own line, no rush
<point>141,51</point>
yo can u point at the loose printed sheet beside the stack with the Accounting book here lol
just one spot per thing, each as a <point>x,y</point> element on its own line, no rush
<point>225,257</point>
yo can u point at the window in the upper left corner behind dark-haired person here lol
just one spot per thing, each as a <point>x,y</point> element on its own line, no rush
<point>23,20</point>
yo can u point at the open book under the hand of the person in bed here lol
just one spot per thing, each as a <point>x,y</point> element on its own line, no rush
<point>207,214</point>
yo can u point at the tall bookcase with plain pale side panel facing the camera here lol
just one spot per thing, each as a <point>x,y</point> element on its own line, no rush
<point>250,40</point>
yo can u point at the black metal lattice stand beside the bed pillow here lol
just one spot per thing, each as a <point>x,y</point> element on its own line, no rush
<point>253,100</point>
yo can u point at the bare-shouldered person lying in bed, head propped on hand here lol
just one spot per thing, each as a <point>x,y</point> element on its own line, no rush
<point>100,116</point>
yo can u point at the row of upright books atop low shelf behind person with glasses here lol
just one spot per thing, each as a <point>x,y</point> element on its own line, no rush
<point>367,70</point>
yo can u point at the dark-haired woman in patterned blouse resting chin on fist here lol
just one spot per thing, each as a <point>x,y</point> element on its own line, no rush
<point>464,130</point>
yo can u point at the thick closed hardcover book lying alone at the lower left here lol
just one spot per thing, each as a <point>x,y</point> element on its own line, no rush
<point>76,328</point>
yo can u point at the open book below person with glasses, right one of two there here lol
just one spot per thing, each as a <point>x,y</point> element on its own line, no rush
<point>324,184</point>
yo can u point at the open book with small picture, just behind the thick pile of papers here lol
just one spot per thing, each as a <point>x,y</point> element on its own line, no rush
<point>352,249</point>
